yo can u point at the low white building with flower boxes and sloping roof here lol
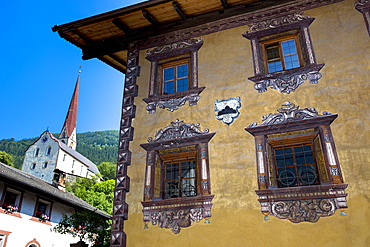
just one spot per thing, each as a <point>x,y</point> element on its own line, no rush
<point>34,197</point>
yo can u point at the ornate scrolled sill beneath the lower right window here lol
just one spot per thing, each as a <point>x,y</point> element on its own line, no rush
<point>303,204</point>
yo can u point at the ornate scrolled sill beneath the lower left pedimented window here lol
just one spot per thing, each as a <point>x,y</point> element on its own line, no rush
<point>177,213</point>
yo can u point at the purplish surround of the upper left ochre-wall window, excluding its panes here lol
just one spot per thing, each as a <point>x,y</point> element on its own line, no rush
<point>174,100</point>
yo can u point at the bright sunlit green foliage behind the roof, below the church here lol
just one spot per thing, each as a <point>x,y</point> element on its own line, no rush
<point>100,195</point>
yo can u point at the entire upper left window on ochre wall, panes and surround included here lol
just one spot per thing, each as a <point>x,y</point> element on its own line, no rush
<point>174,75</point>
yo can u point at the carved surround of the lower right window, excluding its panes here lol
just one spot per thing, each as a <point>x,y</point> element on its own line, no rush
<point>305,203</point>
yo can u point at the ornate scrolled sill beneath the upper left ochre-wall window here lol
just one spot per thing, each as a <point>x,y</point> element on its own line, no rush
<point>173,101</point>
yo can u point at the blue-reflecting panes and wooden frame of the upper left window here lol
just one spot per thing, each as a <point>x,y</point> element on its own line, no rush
<point>175,77</point>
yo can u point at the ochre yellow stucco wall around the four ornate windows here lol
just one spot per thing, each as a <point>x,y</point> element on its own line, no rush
<point>340,41</point>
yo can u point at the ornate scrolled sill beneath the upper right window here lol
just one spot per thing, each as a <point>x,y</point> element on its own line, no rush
<point>287,81</point>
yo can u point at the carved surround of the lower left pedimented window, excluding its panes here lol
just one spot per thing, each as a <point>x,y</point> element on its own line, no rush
<point>182,211</point>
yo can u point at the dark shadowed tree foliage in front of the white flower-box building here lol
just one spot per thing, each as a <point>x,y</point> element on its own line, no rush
<point>86,225</point>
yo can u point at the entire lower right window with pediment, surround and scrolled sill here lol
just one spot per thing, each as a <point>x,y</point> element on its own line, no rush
<point>297,164</point>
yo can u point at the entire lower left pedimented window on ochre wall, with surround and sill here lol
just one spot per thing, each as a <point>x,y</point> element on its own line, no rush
<point>177,172</point>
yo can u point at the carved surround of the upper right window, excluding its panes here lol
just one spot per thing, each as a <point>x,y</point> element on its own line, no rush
<point>289,80</point>
